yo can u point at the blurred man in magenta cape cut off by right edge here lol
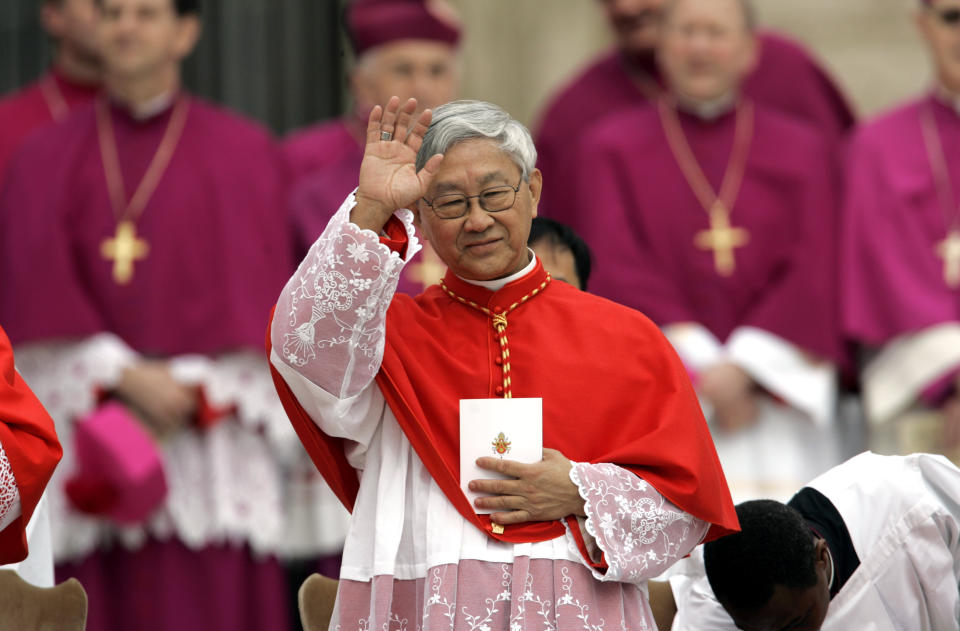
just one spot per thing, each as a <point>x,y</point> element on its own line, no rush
<point>901,255</point>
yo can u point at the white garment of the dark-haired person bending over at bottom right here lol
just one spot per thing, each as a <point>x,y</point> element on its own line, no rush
<point>903,516</point>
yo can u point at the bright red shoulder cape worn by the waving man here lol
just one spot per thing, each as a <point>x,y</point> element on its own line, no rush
<point>613,390</point>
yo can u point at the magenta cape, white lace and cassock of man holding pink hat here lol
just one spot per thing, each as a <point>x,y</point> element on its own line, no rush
<point>218,254</point>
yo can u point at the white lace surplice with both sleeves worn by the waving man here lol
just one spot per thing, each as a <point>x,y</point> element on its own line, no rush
<point>411,561</point>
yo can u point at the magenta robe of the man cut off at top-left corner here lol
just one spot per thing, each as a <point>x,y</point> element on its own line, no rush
<point>49,99</point>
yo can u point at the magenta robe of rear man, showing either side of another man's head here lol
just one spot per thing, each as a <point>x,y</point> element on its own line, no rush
<point>786,79</point>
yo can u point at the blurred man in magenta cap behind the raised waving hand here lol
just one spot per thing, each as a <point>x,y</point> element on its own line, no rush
<point>407,48</point>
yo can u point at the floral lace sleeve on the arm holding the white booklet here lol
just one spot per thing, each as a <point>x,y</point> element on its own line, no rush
<point>639,532</point>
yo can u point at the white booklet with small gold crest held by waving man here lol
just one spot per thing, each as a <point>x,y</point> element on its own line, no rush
<point>511,429</point>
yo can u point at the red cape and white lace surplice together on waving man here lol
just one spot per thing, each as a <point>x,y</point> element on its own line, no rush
<point>412,558</point>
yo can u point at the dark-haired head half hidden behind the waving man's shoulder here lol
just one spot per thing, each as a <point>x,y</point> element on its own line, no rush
<point>561,250</point>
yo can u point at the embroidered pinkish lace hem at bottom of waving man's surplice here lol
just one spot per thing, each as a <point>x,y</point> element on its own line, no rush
<point>525,595</point>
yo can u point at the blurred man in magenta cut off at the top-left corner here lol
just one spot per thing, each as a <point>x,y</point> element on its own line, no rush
<point>72,80</point>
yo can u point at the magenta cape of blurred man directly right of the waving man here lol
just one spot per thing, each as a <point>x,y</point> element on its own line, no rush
<point>642,219</point>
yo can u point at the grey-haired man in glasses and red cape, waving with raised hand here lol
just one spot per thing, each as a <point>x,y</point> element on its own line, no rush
<point>383,390</point>
